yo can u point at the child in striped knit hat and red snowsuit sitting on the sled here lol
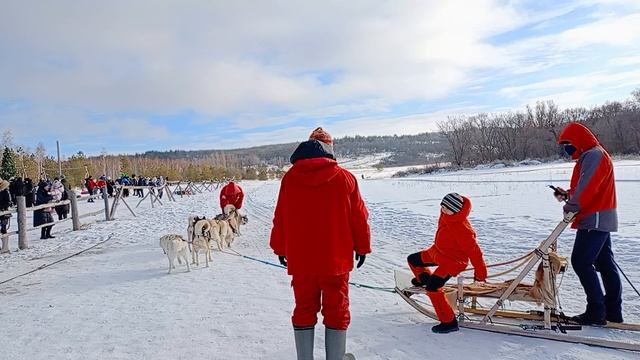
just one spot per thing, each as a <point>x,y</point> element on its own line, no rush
<point>455,244</point>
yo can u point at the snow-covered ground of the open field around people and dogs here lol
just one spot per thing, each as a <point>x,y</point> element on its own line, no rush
<point>117,302</point>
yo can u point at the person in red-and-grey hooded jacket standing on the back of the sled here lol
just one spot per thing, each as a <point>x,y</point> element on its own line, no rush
<point>593,197</point>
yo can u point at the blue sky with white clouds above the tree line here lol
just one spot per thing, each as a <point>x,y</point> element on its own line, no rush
<point>132,76</point>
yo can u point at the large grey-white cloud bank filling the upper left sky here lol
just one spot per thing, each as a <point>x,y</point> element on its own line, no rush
<point>222,57</point>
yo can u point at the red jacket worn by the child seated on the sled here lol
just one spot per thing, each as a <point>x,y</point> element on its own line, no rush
<point>455,244</point>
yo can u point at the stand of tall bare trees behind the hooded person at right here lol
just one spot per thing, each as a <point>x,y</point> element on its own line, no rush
<point>533,132</point>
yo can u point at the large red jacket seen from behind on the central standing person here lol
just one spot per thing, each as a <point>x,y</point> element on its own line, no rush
<point>320,219</point>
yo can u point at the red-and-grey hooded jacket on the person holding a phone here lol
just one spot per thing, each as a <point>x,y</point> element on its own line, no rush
<point>592,191</point>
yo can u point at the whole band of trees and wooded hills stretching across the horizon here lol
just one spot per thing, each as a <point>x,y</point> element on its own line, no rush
<point>463,140</point>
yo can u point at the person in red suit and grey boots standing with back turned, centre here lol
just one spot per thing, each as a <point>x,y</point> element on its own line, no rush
<point>320,221</point>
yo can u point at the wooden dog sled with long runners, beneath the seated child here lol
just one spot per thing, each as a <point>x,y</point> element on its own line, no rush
<point>549,324</point>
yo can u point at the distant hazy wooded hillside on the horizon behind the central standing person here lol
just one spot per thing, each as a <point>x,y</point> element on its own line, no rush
<point>403,150</point>
